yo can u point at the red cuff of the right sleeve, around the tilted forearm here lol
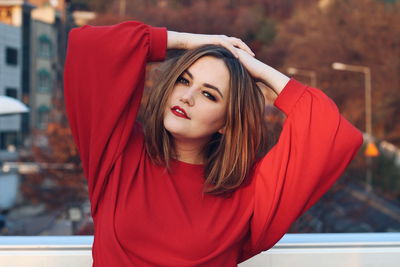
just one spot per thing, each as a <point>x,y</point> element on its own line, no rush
<point>289,96</point>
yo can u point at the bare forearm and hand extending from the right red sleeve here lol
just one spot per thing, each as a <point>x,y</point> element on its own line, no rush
<point>262,72</point>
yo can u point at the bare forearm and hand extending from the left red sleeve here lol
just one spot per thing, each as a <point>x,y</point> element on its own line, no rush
<point>181,40</point>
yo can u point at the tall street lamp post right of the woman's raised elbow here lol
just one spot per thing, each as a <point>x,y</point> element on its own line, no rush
<point>368,112</point>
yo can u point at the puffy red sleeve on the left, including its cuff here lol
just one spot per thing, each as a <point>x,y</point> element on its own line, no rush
<point>104,79</point>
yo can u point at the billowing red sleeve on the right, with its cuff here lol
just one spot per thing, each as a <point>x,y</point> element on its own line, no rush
<point>315,146</point>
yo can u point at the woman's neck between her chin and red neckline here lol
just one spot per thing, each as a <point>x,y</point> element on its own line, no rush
<point>189,151</point>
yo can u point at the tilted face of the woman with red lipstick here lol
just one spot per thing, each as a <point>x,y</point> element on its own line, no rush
<point>196,108</point>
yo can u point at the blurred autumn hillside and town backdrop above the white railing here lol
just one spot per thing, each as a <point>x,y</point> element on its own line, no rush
<point>348,49</point>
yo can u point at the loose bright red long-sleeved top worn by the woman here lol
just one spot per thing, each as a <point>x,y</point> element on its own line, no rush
<point>146,217</point>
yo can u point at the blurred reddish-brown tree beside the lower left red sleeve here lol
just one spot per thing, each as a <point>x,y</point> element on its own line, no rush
<point>60,182</point>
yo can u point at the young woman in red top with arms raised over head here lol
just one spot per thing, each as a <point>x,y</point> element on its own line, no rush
<point>191,185</point>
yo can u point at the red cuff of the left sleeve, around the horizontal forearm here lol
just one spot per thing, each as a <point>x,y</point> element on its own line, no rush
<point>158,43</point>
